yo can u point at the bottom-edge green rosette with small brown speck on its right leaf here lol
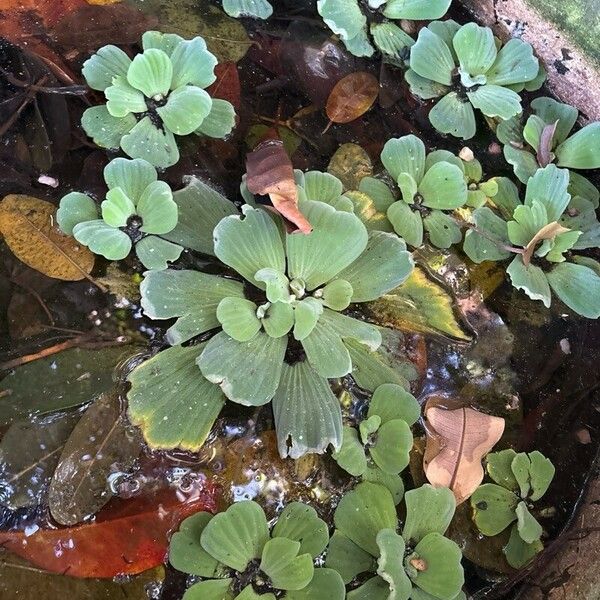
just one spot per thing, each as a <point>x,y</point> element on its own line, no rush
<point>418,563</point>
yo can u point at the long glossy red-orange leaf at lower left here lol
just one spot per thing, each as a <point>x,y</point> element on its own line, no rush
<point>128,537</point>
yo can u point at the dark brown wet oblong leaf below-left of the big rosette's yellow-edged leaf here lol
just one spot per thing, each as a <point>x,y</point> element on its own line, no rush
<point>102,443</point>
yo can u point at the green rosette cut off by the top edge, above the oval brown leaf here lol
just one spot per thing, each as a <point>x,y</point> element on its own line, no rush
<point>363,31</point>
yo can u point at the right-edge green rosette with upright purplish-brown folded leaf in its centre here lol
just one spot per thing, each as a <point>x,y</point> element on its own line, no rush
<point>546,137</point>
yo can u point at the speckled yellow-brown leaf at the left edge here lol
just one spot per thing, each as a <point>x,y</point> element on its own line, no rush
<point>29,229</point>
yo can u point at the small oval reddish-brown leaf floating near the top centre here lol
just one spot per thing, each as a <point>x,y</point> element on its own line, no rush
<point>352,97</point>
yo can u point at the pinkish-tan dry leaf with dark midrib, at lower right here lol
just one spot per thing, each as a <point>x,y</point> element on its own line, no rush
<point>457,441</point>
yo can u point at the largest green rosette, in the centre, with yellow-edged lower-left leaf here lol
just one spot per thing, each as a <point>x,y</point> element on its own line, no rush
<point>279,332</point>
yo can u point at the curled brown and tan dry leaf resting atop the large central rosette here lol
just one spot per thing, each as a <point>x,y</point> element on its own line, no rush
<point>270,171</point>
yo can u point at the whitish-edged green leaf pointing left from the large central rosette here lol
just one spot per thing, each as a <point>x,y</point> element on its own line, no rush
<point>190,295</point>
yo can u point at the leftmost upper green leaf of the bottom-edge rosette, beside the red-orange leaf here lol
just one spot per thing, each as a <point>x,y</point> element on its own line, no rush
<point>186,553</point>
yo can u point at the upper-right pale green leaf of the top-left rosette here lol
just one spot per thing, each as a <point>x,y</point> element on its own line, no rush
<point>192,64</point>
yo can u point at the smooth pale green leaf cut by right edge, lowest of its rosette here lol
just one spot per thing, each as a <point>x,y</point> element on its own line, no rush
<point>578,287</point>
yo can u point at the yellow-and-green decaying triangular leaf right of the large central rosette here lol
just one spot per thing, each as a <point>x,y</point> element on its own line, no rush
<point>419,305</point>
